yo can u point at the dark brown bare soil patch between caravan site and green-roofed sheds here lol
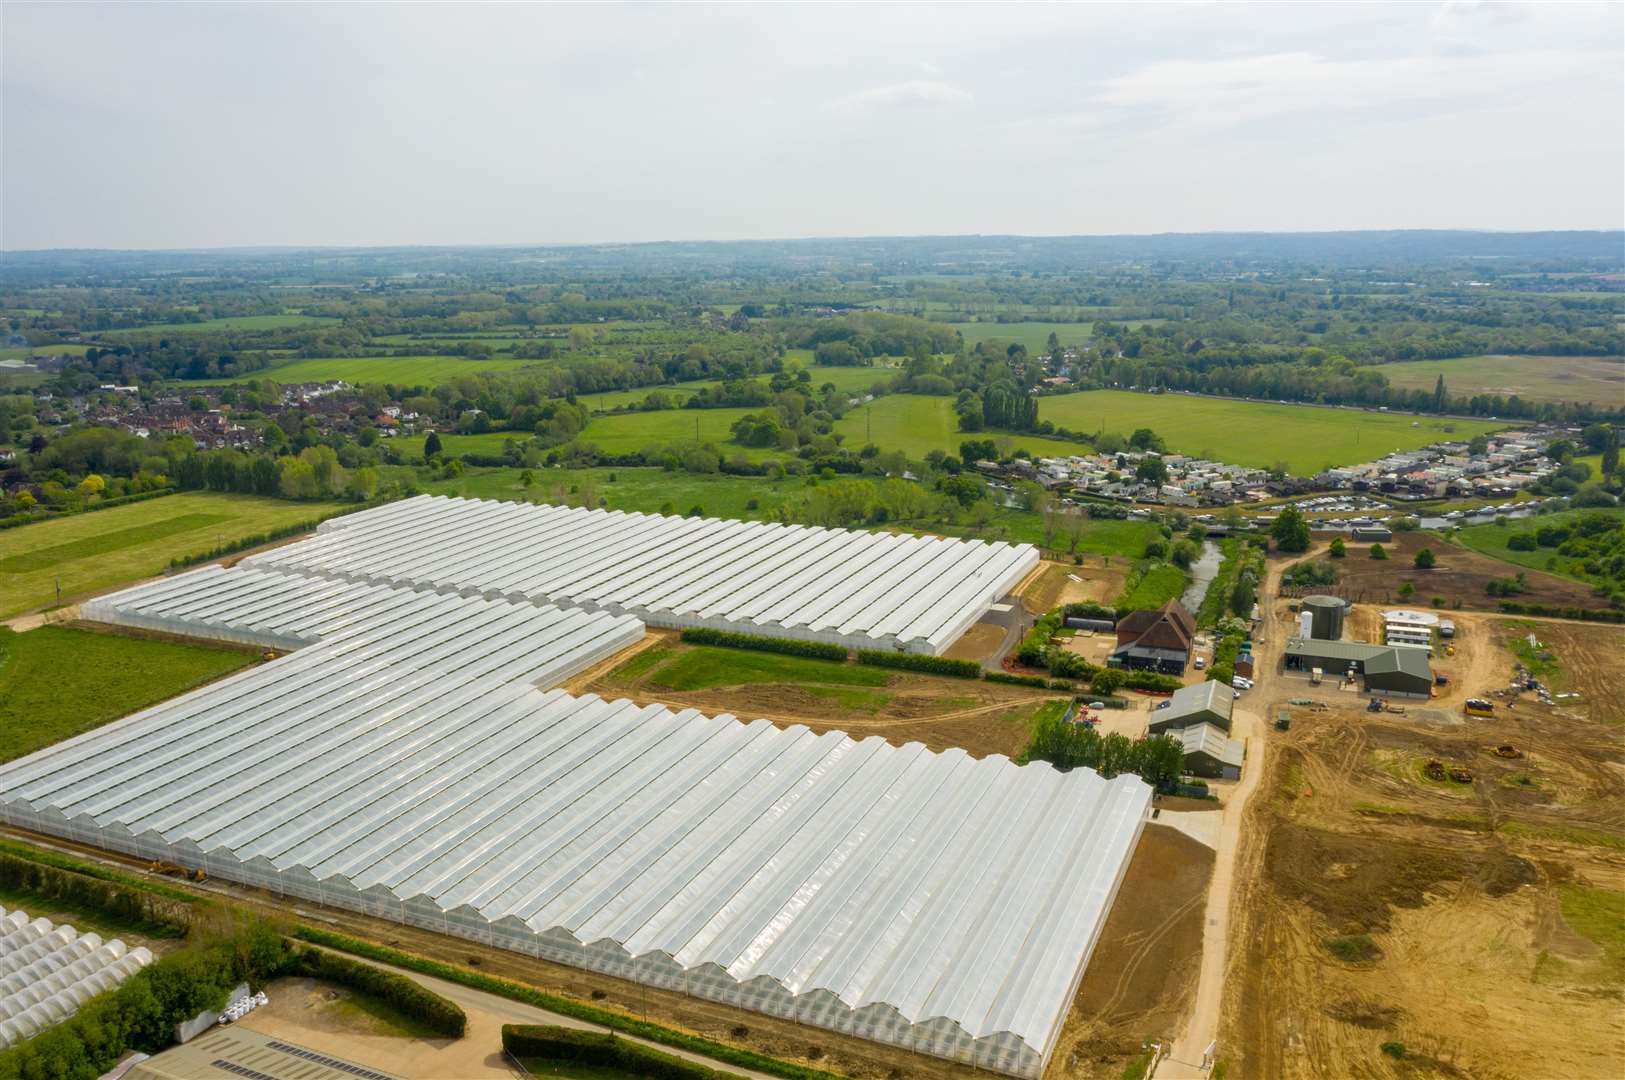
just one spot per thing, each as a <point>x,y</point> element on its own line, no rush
<point>1460,576</point>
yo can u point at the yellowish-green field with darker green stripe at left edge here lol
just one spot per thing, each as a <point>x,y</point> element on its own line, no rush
<point>93,553</point>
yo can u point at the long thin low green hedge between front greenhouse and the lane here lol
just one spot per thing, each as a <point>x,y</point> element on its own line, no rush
<point>565,1006</point>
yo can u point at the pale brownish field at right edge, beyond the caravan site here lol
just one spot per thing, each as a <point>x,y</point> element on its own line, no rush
<point>1530,378</point>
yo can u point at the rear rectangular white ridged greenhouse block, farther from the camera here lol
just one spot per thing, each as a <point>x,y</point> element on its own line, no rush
<point>862,590</point>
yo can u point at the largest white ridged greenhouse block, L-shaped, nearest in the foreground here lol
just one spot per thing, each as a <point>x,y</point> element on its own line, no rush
<point>407,766</point>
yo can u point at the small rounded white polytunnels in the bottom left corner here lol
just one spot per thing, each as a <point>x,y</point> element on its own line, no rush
<point>48,972</point>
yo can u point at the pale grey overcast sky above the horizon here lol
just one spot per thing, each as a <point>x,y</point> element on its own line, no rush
<point>209,126</point>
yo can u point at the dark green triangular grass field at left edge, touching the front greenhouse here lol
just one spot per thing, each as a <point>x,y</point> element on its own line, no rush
<point>58,681</point>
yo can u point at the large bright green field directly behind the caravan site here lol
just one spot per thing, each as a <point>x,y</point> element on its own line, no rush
<point>1302,438</point>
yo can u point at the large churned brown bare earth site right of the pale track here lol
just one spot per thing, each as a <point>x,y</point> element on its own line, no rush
<point>1380,902</point>
